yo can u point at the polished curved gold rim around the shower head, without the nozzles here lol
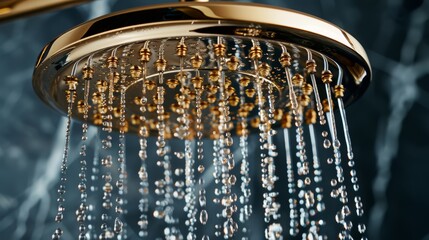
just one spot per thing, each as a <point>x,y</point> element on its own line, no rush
<point>197,19</point>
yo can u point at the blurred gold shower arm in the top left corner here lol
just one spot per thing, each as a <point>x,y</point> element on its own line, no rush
<point>11,9</point>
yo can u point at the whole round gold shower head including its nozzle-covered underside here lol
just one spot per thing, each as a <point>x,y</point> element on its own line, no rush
<point>200,50</point>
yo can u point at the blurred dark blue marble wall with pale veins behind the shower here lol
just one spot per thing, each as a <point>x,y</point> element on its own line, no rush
<point>389,124</point>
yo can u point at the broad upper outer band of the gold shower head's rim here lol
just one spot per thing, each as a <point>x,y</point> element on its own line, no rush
<point>288,20</point>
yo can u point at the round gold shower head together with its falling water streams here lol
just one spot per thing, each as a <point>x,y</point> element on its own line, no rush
<point>206,75</point>
